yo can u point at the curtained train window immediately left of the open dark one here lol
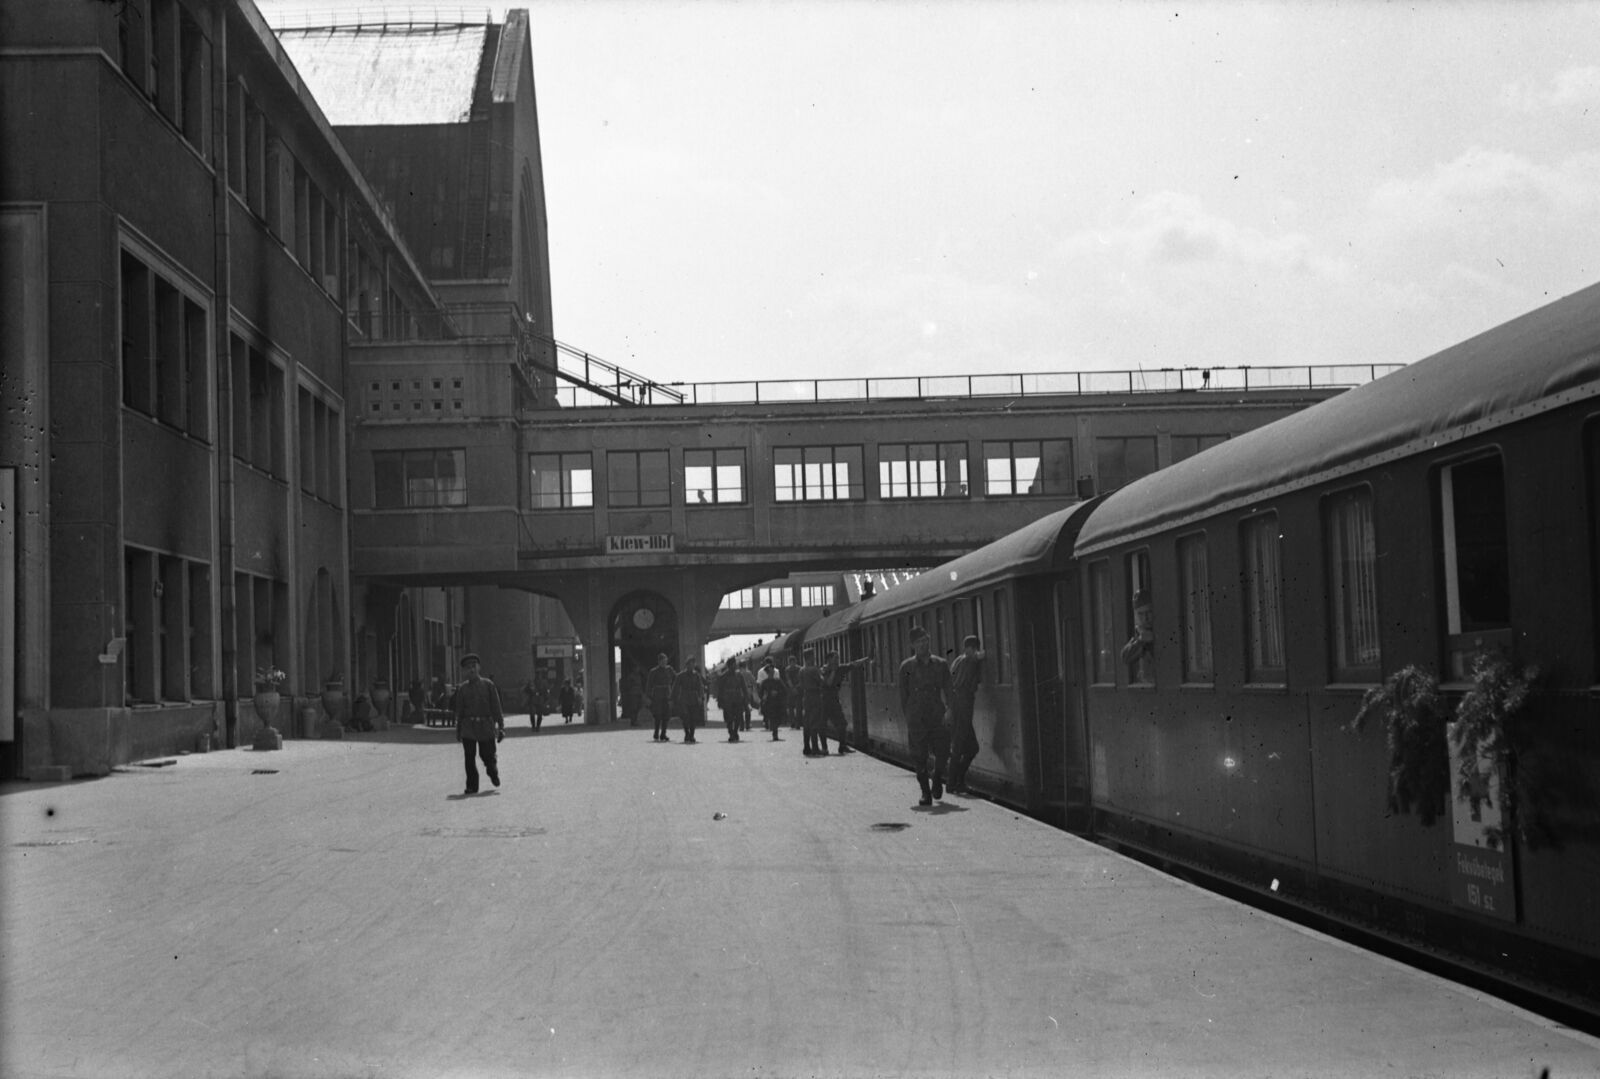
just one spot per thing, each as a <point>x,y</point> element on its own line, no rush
<point>1353,587</point>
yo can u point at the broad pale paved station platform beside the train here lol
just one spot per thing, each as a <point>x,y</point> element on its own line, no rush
<point>630,909</point>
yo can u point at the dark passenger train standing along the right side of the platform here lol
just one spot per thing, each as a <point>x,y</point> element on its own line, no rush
<point>1447,510</point>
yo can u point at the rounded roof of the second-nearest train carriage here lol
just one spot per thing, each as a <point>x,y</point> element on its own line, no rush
<point>1034,548</point>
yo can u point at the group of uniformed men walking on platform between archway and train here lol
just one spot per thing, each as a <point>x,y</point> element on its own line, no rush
<point>937,700</point>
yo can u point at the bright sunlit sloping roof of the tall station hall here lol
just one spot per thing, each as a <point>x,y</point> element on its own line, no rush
<point>390,74</point>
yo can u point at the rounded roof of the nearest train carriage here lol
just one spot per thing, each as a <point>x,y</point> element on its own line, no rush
<point>1521,369</point>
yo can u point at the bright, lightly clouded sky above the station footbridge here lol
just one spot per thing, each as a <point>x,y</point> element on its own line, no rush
<point>838,188</point>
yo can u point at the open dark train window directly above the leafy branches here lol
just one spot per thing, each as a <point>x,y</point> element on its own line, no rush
<point>1476,558</point>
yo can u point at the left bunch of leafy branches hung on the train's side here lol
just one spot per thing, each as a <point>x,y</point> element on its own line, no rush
<point>1415,718</point>
